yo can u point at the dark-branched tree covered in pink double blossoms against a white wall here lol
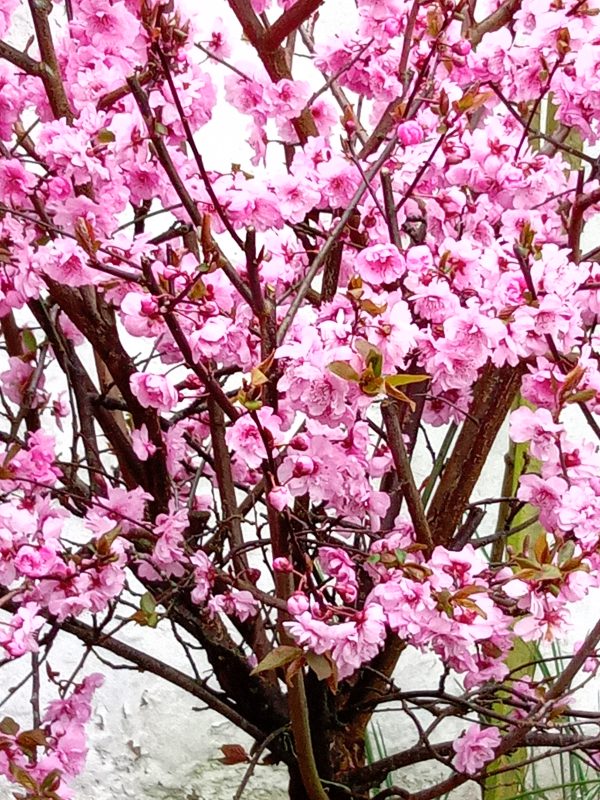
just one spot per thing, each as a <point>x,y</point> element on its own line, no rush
<point>214,381</point>
